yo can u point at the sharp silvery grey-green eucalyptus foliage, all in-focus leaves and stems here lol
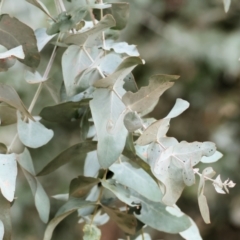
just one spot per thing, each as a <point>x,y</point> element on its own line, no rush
<point>125,157</point>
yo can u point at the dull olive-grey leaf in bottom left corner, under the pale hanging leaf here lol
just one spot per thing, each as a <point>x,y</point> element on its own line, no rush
<point>5,218</point>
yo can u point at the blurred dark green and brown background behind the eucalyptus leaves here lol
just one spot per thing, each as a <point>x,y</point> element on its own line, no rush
<point>194,39</point>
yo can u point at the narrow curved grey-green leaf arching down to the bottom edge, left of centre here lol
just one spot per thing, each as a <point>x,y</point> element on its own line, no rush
<point>69,207</point>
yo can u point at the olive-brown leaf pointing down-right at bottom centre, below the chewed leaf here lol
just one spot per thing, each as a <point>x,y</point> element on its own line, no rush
<point>126,222</point>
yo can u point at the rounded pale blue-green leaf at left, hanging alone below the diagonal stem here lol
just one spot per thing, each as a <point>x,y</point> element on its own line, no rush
<point>33,134</point>
